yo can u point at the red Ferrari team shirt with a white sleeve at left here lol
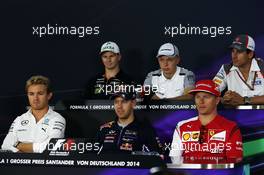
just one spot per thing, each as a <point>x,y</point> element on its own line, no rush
<point>217,142</point>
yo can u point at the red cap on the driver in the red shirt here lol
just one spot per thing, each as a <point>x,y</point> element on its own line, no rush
<point>208,86</point>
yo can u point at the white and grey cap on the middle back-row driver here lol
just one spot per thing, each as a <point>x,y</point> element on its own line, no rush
<point>168,49</point>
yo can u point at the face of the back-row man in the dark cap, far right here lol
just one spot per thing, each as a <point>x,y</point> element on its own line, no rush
<point>241,58</point>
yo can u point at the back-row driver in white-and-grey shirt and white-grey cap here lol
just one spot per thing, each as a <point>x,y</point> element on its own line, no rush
<point>170,81</point>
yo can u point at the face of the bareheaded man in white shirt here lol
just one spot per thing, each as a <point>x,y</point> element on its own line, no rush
<point>38,97</point>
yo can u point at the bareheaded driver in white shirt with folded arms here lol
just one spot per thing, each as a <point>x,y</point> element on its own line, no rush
<point>32,131</point>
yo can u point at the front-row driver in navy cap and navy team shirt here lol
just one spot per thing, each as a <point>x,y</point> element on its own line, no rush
<point>127,133</point>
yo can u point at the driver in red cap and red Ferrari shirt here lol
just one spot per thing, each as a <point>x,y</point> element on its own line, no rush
<point>209,137</point>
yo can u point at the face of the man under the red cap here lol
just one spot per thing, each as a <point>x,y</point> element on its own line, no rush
<point>206,103</point>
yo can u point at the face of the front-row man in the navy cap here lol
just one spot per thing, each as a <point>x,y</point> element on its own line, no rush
<point>123,108</point>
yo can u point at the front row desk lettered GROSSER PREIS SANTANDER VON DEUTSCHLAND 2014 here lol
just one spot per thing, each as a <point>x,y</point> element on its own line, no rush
<point>108,164</point>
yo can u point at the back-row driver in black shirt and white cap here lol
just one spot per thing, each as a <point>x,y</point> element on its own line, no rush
<point>103,85</point>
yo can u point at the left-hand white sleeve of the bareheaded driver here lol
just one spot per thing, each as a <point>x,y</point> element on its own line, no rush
<point>11,138</point>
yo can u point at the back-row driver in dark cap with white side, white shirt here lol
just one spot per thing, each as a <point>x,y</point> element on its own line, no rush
<point>243,77</point>
